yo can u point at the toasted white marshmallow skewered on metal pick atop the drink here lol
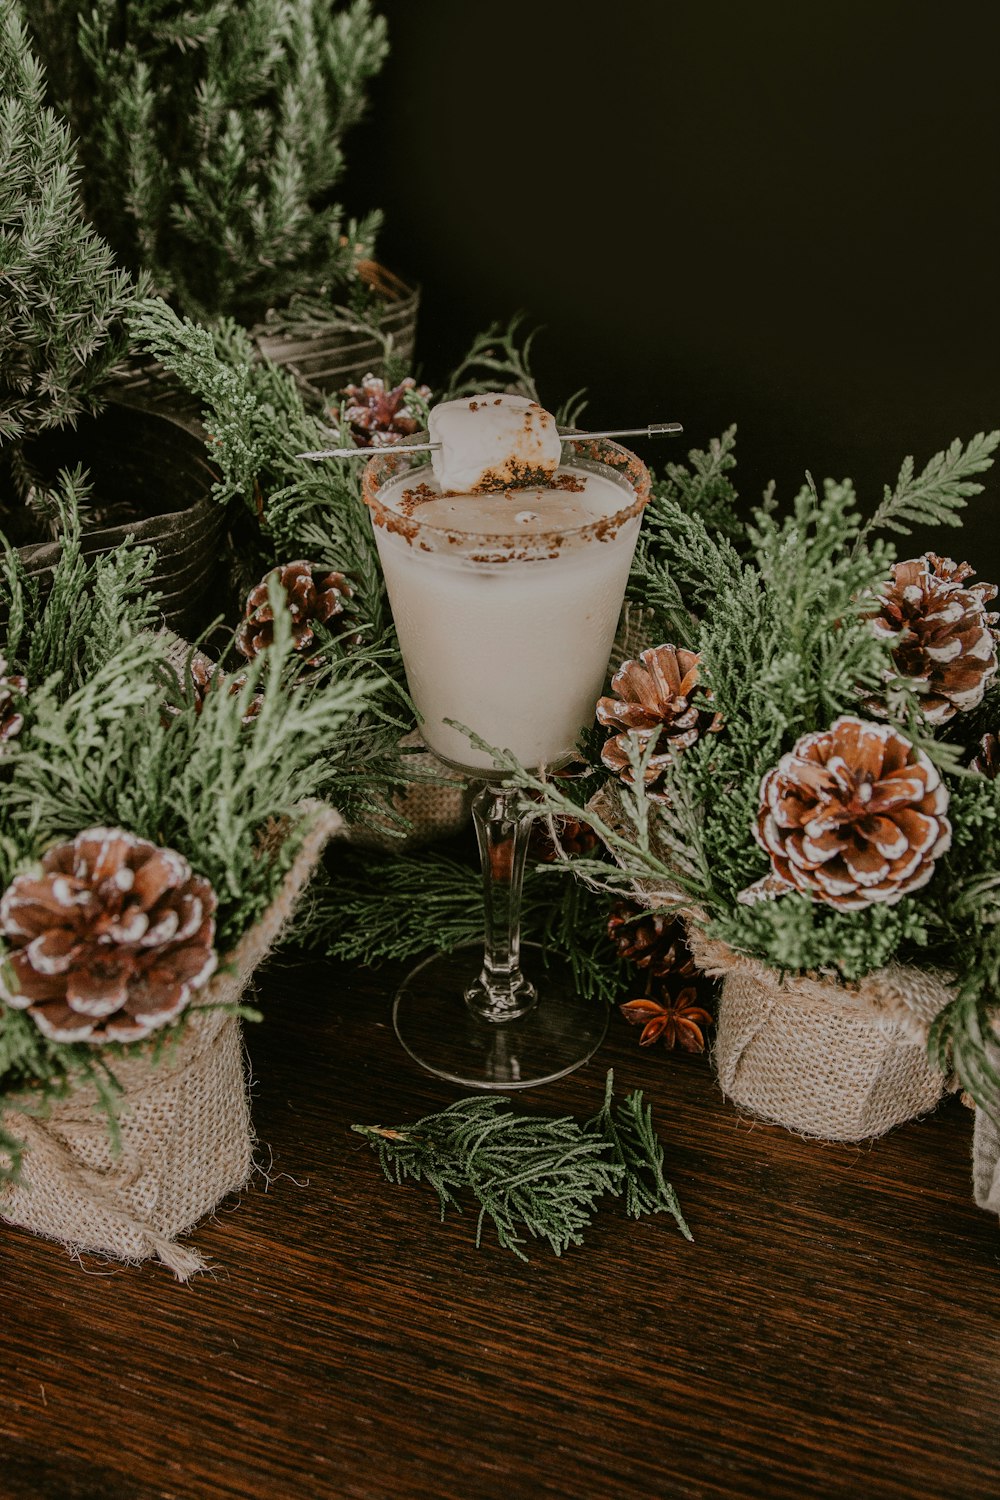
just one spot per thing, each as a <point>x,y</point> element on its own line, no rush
<point>493,442</point>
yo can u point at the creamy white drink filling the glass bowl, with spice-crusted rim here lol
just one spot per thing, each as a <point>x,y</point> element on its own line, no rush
<point>507,602</point>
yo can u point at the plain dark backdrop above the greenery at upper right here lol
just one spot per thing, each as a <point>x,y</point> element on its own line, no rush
<point>773,214</point>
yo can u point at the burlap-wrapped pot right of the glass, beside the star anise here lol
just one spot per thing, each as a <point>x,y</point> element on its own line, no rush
<point>840,1063</point>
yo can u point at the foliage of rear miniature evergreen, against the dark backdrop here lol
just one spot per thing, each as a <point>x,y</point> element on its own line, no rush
<point>211,137</point>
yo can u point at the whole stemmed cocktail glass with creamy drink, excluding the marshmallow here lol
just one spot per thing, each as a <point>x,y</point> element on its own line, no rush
<point>506,634</point>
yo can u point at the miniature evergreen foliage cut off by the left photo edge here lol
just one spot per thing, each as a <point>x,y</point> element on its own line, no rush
<point>62,301</point>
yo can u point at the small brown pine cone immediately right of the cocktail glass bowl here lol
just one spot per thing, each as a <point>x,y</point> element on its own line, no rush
<point>653,697</point>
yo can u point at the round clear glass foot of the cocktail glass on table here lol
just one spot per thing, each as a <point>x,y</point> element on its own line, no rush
<point>443,1036</point>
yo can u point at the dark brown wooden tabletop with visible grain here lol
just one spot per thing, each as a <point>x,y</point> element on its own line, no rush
<point>833,1330</point>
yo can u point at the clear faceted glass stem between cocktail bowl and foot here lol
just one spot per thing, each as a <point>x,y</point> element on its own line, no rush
<point>501,994</point>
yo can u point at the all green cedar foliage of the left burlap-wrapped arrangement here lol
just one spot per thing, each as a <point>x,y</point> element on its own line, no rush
<point>115,739</point>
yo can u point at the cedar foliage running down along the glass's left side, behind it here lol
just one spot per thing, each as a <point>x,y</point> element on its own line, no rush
<point>296,509</point>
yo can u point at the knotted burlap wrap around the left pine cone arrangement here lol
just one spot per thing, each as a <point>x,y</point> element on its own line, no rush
<point>187,1138</point>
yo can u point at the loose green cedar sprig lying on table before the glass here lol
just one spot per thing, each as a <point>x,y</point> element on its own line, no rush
<point>542,1175</point>
